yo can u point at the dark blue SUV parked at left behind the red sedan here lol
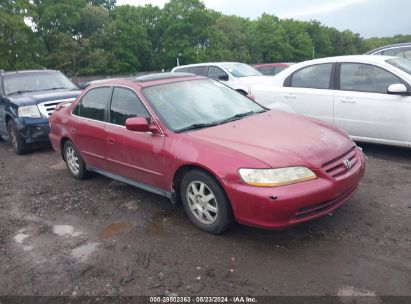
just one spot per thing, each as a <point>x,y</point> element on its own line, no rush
<point>27,99</point>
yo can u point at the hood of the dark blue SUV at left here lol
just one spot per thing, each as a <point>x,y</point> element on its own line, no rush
<point>33,98</point>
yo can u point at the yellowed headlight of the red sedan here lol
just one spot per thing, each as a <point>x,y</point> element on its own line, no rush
<point>276,177</point>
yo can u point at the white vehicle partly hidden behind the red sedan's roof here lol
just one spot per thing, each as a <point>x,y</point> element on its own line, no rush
<point>238,76</point>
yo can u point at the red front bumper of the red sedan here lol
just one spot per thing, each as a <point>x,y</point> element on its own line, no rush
<point>287,206</point>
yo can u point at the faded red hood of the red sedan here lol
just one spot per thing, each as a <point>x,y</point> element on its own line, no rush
<point>280,139</point>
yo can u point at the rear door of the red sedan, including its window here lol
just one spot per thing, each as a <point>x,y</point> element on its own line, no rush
<point>88,126</point>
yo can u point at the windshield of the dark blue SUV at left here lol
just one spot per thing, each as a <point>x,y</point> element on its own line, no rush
<point>18,83</point>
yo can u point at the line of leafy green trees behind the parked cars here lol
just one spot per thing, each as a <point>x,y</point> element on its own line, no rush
<point>89,37</point>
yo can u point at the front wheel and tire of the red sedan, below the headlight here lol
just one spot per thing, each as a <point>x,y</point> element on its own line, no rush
<point>205,202</point>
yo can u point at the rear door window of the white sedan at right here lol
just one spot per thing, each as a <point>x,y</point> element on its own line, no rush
<point>315,77</point>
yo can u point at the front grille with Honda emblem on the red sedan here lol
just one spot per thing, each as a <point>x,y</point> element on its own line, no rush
<point>338,166</point>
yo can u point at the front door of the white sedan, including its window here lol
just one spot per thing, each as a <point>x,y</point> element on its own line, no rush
<point>364,108</point>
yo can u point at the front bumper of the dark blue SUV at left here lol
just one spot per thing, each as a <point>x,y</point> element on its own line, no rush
<point>34,130</point>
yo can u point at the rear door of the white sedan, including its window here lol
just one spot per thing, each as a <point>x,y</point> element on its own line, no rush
<point>309,91</point>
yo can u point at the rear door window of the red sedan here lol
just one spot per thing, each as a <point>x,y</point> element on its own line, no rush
<point>93,104</point>
